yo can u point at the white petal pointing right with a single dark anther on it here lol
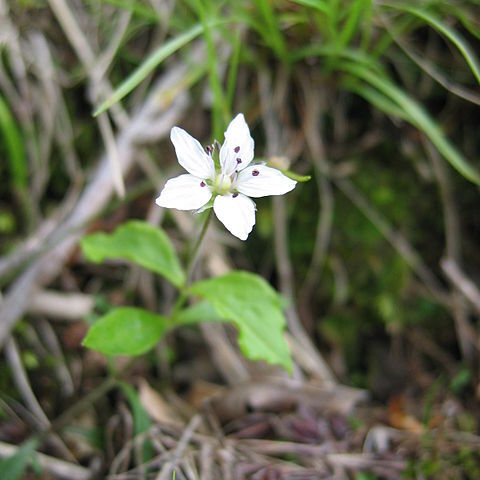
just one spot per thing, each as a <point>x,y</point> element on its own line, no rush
<point>268,181</point>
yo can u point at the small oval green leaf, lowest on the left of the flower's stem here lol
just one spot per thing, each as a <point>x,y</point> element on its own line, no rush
<point>126,331</point>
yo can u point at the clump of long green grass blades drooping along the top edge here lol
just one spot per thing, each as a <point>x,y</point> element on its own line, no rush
<point>344,45</point>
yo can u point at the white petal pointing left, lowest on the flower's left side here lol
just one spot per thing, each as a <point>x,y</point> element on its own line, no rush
<point>184,192</point>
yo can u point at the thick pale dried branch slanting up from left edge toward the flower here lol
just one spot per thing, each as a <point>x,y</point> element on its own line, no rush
<point>95,196</point>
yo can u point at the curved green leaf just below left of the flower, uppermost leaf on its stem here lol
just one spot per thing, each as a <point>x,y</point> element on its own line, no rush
<point>140,243</point>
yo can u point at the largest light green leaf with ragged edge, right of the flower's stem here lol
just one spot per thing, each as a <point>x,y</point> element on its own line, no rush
<point>254,307</point>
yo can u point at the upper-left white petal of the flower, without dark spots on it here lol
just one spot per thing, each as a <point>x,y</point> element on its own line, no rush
<point>191,155</point>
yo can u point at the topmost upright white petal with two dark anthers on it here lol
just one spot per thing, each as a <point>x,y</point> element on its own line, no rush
<point>237,150</point>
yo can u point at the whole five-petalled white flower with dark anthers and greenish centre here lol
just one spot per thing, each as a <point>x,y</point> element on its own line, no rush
<point>231,186</point>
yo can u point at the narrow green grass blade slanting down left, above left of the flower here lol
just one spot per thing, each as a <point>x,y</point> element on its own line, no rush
<point>152,62</point>
